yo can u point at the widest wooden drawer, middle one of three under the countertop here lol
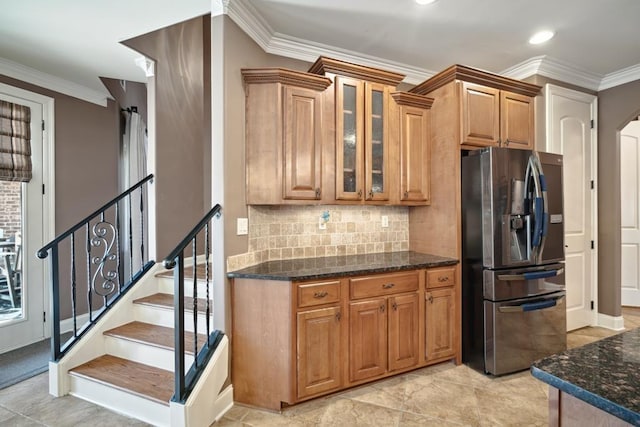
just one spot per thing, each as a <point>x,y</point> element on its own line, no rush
<point>385,284</point>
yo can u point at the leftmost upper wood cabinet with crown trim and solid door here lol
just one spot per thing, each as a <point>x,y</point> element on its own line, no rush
<point>284,139</point>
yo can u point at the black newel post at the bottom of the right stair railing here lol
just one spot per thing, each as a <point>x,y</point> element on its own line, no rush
<point>178,303</point>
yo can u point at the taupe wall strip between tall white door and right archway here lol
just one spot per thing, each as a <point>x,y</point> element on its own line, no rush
<point>616,107</point>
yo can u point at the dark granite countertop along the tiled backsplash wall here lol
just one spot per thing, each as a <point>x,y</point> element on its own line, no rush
<point>340,266</point>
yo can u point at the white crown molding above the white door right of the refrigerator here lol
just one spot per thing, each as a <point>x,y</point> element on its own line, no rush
<point>554,69</point>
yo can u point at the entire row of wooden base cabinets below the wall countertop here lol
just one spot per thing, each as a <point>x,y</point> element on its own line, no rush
<point>293,341</point>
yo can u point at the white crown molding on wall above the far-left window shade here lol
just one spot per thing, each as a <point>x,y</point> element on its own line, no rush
<point>47,81</point>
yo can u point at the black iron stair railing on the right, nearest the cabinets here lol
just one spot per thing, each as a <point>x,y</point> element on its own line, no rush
<point>203,349</point>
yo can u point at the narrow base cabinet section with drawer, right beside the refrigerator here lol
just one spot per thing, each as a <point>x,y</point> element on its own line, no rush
<point>440,314</point>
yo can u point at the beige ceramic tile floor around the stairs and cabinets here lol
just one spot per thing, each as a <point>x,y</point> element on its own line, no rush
<point>441,395</point>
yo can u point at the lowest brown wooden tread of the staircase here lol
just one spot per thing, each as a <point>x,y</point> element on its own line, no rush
<point>143,380</point>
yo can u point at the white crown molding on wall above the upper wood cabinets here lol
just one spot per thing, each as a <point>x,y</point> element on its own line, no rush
<point>252,23</point>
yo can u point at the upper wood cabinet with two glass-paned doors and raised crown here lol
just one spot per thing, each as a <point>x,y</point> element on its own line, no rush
<point>360,97</point>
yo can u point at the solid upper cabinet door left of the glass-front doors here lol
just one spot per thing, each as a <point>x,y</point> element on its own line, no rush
<point>302,143</point>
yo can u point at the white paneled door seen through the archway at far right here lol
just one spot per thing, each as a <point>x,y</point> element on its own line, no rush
<point>629,213</point>
